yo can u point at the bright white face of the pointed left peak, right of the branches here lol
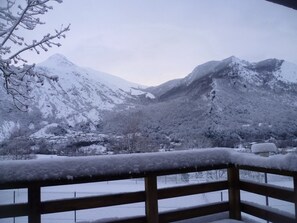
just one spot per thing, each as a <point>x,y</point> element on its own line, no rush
<point>79,94</point>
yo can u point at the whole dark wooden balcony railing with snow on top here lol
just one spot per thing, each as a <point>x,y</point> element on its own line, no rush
<point>14,174</point>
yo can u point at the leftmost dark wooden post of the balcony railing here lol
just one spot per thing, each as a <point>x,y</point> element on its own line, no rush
<point>34,201</point>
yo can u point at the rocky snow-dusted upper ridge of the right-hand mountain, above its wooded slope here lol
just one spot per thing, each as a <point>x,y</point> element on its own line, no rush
<point>272,72</point>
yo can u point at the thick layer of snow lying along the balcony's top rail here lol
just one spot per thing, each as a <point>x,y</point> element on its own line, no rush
<point>106,166</point>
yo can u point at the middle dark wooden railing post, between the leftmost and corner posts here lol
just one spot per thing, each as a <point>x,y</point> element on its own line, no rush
<point>151,201</point>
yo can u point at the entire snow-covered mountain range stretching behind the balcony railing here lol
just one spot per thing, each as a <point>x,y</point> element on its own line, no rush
<point>220,103</point>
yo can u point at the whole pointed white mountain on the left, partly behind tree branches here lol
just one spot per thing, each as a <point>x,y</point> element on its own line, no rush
<point>79,96</point>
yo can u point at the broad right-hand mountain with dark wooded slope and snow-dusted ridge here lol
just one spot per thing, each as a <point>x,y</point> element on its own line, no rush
<point>224,103</point>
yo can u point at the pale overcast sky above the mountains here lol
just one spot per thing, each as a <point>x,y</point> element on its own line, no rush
<point>153,41</point>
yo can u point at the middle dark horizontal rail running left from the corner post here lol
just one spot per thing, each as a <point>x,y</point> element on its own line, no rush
<point>70,204</point>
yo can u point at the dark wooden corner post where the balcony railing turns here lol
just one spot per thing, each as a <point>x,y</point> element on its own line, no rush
<point>234,193</point>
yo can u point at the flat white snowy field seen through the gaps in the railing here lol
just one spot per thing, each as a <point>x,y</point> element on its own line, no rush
<point>80,190</point>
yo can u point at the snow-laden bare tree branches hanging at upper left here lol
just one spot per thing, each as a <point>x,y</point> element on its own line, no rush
<point>15,71</point>
